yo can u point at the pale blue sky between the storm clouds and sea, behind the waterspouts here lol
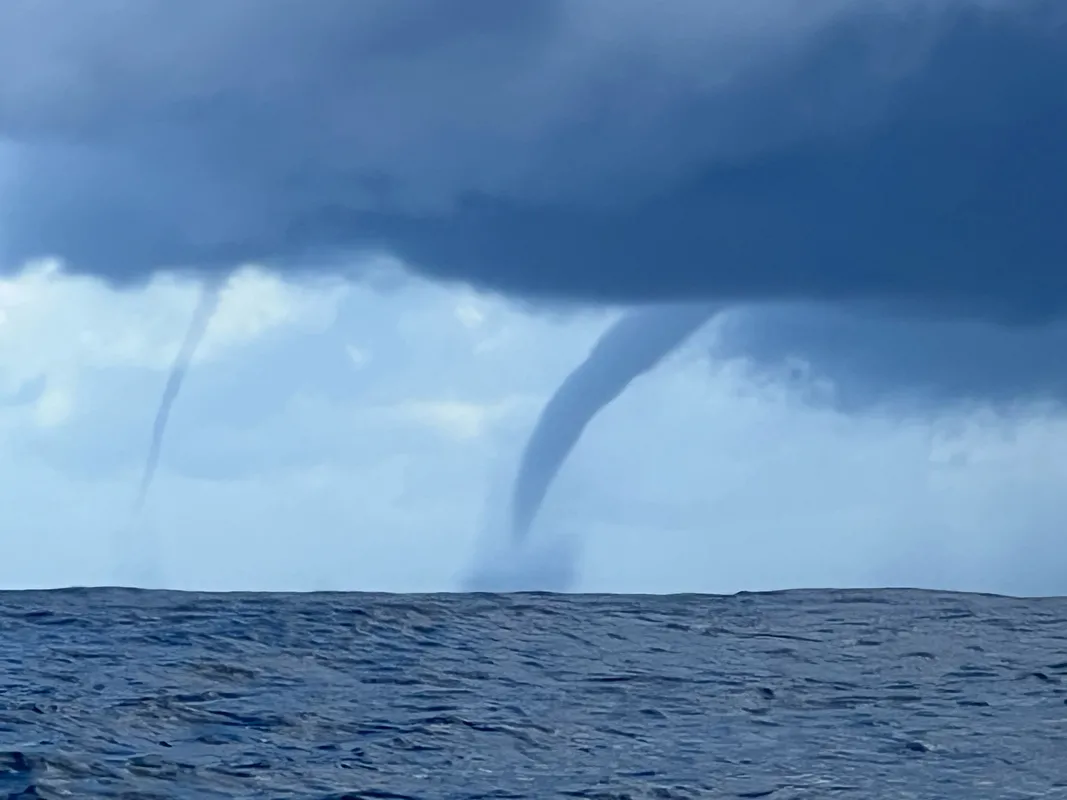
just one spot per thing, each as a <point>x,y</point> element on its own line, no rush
<point>335,437</point>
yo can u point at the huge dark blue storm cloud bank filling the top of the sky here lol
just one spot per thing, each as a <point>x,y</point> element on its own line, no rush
<point>609,151</point>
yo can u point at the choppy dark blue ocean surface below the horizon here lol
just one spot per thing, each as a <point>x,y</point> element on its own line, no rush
<point>797,695</point>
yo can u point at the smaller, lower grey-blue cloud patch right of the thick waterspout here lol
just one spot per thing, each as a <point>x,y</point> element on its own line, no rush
<point>901,365</point>
